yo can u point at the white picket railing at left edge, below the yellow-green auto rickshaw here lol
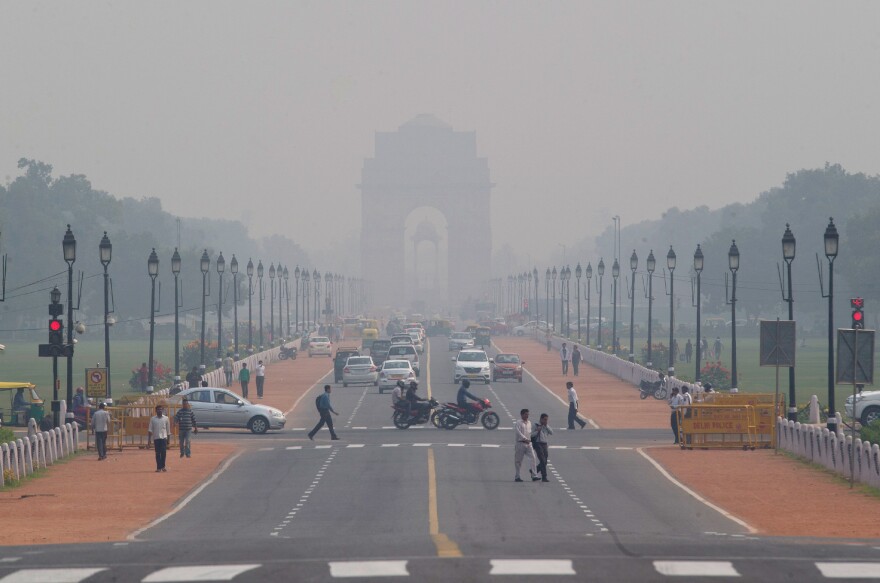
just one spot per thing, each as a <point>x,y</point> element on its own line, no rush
<point>38,450</point>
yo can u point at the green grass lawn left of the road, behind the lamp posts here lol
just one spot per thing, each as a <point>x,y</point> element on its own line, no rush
<point>19,362</point>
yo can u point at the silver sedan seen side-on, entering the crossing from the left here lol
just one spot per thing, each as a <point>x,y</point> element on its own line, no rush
<point>222,408</point>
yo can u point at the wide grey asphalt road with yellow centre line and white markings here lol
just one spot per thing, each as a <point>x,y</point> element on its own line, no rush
<point>432,504</point>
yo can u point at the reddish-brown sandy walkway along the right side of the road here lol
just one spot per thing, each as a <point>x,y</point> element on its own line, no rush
<point>774,494</point>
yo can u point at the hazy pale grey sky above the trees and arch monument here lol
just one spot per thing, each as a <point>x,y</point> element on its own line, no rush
<point>265,110</point>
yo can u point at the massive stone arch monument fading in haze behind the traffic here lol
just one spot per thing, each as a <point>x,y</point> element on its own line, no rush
<point>425,163</point>
